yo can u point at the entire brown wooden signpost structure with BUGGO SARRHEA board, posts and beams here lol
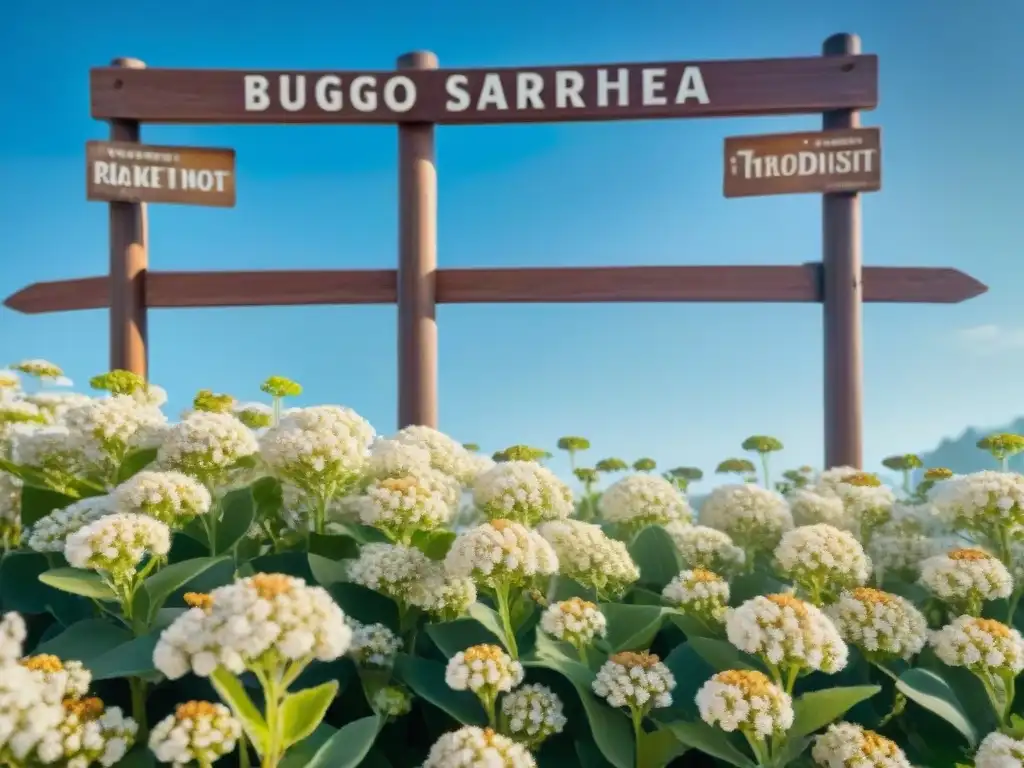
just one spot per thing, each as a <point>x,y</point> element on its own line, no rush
<point>417,97</point>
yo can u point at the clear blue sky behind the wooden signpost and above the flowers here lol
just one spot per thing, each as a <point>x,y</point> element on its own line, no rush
<point>681,383</point>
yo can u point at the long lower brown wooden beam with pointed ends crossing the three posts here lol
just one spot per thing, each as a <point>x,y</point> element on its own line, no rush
<point>522,285</point>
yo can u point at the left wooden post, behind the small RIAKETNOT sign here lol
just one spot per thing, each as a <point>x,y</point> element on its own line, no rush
<point>129,265</point>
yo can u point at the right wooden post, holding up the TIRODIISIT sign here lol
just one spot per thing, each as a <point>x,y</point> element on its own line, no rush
<point>843,301</point>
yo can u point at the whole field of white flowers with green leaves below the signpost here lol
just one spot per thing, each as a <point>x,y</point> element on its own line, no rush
<point>254,585</point>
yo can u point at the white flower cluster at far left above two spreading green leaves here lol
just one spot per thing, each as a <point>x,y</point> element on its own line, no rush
<point>117,544</point>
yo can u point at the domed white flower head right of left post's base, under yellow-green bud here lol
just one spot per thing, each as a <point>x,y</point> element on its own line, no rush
<point>208,447</point>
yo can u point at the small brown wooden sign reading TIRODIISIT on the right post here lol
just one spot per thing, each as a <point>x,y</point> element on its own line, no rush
<point>819,162</point>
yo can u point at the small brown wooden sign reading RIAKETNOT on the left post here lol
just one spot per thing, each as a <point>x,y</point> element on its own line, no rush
<point>125,173</point>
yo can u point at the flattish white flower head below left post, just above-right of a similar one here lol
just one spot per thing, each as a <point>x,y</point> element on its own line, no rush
<point>173,498</point>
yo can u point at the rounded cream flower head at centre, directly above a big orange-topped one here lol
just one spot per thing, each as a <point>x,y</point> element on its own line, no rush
<point>524,492</point>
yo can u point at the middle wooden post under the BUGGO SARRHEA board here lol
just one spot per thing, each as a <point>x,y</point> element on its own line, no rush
<point>417,265</point>
